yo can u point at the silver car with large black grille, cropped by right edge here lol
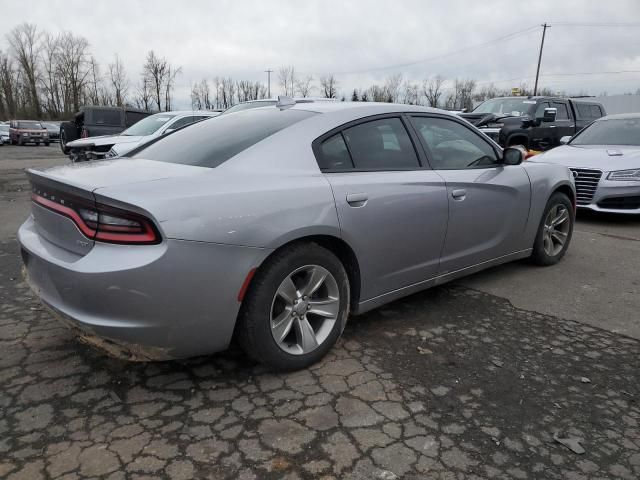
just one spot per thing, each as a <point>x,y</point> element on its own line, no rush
<point>605,161</point>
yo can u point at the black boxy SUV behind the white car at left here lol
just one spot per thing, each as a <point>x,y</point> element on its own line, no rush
<point>93,121</point>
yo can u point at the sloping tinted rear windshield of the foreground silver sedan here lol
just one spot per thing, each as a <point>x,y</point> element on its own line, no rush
<point>210,143</point>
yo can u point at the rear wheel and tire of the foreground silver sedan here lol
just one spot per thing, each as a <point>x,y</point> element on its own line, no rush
<point>295,309</point>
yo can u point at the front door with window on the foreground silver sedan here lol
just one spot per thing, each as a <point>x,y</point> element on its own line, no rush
<point>488,201</point>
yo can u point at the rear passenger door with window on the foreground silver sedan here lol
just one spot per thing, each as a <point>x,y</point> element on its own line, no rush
<point>392,211</point>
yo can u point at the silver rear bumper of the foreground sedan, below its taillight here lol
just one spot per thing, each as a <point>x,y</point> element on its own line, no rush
<point>172,300</point>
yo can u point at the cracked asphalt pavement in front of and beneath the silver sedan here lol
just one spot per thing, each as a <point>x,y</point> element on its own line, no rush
<point>451,383</point>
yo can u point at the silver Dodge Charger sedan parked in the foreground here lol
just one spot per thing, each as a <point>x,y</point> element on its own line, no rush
<point>272,225</point>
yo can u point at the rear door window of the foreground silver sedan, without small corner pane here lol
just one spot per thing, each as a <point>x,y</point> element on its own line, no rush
<point>381,145</point>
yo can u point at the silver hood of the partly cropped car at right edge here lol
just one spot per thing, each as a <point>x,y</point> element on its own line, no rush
<point>602,157</point>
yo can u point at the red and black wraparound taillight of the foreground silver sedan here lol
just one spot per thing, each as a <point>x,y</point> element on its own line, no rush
<point>104,223</point>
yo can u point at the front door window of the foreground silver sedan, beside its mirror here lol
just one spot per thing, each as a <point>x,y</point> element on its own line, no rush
<point>453,146</point>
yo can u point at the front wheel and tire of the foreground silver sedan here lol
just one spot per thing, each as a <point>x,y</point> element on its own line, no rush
<point>555,231</point>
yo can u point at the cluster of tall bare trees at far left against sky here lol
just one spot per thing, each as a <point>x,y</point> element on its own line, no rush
<point>43,75</point>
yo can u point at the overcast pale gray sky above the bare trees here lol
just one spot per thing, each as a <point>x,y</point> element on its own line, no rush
<point>357,40</point>
